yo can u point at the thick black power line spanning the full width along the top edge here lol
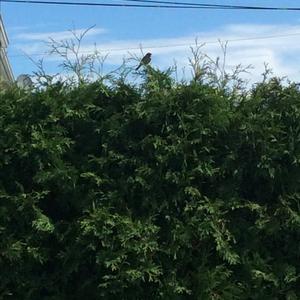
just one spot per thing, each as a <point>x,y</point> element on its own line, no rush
<point>157,5</point>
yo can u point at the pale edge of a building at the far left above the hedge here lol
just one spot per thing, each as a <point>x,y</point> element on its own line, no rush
<point>6,73</point>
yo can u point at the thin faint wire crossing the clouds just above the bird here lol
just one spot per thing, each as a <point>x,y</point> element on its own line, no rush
<point>174,45</point>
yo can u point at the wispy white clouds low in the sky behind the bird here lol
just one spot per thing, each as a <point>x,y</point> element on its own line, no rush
<point>248,44</point>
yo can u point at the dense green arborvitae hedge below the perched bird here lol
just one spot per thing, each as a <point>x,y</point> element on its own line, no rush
<point>162,191</point>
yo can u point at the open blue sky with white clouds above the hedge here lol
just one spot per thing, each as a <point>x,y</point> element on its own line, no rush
<point>29,26</point>
